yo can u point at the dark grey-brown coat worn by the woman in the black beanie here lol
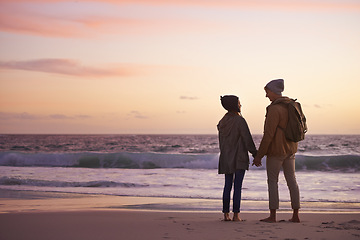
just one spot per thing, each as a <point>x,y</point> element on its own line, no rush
<point>235,141</point>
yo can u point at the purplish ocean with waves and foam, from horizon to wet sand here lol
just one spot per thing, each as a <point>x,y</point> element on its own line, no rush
<point>171,166</point>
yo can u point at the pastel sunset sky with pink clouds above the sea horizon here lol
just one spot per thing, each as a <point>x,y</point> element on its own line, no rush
<point>160,66</point>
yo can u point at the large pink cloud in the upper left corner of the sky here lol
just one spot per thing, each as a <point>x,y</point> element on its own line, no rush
<point>14,18</point>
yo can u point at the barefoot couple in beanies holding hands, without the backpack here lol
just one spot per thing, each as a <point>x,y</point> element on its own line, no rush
<point>235,141</point>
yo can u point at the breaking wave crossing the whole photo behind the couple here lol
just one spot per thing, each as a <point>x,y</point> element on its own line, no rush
<point>342,163</point>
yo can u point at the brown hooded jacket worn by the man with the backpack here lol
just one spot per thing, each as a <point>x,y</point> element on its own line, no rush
<point>274,143</point>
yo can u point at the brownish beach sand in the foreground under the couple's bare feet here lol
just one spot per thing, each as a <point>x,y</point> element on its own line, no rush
<point>76,216</point>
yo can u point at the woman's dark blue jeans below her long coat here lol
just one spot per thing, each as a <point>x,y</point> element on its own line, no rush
<point>239,177</point>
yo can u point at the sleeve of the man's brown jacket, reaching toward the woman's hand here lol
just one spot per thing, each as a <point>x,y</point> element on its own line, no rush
<point>271,123</point>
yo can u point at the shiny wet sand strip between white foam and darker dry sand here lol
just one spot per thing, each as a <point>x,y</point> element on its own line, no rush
<point>37,201</point>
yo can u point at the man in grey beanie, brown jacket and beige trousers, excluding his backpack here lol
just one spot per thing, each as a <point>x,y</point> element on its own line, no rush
<point>280,152</point>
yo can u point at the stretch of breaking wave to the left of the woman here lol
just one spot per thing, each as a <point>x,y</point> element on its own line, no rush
<point>111,160</point>
